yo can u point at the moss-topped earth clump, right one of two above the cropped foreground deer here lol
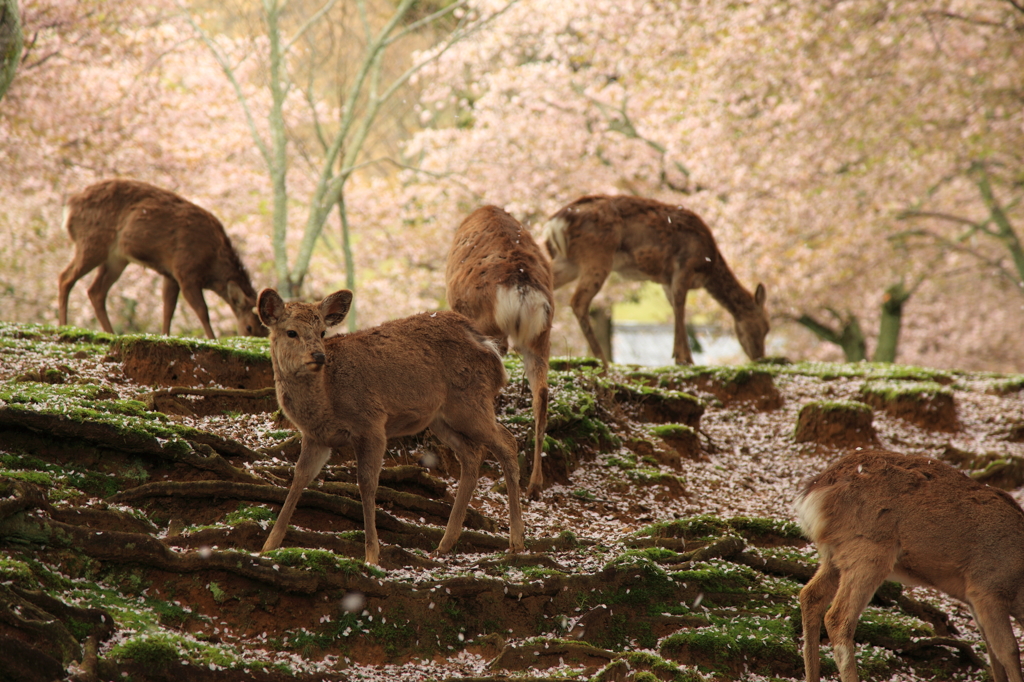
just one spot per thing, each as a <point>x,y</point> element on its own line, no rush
<point>925,404</point>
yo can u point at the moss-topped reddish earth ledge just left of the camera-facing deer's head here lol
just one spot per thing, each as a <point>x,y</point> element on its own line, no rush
<point>156,361</point>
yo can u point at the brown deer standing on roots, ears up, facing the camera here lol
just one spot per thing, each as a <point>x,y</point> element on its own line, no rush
<point>429,371</point>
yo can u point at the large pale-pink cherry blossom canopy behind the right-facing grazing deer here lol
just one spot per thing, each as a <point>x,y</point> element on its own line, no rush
<point>802,132</point>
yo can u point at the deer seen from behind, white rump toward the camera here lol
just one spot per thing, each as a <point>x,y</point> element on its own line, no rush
<point>499,278</point>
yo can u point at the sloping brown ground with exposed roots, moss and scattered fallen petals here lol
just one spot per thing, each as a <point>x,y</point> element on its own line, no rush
<point>141,478</point>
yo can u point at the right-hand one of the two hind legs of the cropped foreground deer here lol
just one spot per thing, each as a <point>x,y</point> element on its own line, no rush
<point>865,568</point>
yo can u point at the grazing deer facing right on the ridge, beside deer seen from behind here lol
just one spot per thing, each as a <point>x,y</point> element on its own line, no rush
<point>644,239</point>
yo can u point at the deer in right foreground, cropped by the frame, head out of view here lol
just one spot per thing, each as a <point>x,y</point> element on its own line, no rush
<point>879,516</point>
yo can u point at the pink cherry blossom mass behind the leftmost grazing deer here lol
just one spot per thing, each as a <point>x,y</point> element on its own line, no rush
<point>105,91</point>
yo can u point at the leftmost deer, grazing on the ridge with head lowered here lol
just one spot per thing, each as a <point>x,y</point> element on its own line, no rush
<point>120,222</point>
